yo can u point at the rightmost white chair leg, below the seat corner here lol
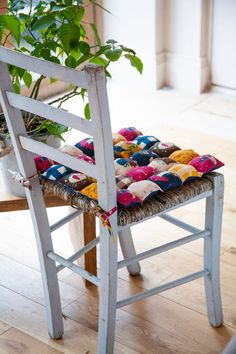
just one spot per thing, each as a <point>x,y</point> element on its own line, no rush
<point>213,221</point>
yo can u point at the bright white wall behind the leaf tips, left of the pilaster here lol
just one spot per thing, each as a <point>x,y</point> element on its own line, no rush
<point>132,23</point>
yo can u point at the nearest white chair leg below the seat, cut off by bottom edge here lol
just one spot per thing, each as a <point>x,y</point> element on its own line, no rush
<point>107,291</point>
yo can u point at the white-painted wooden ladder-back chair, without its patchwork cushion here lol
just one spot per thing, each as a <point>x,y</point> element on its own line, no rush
<point>93,79</point>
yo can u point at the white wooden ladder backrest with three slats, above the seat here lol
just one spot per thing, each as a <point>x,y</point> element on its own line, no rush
<point>92,78</point>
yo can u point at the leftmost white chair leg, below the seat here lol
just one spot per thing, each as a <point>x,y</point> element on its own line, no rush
<point>48,266</point>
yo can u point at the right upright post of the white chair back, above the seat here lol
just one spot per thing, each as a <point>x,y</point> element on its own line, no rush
<point>103,147</point>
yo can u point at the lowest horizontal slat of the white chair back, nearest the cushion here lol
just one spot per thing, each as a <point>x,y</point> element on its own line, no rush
<point>56,155</point>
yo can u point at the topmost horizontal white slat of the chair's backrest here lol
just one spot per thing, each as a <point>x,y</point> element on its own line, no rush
<point>43,67</point>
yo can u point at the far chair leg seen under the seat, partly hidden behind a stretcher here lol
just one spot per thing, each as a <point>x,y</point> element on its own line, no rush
<point>128,250</point>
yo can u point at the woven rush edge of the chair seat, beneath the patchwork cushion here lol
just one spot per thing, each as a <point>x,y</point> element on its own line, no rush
<point>155,205</point>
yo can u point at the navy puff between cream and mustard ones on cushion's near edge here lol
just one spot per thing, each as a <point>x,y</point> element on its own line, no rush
<point>166,180</point>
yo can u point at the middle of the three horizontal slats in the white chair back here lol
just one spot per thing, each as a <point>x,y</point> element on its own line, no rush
<point>46,111</point>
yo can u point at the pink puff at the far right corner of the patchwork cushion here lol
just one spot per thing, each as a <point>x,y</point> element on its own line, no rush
<point>206,163</point>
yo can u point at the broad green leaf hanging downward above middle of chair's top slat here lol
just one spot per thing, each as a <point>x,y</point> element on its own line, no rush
<point>69,35</point>
